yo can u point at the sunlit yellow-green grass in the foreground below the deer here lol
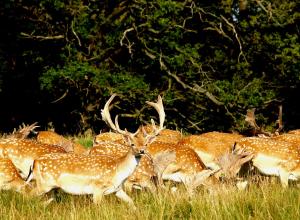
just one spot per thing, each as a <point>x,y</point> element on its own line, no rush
<point>264,202</point>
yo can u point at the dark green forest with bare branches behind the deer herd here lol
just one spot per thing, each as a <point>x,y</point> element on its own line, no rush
<point>211,61</point>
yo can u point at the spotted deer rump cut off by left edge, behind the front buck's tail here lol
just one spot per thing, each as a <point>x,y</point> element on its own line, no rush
<point>10,178</point>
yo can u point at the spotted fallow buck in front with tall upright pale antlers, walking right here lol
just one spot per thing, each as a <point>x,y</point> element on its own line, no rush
<point>91,174</point>
